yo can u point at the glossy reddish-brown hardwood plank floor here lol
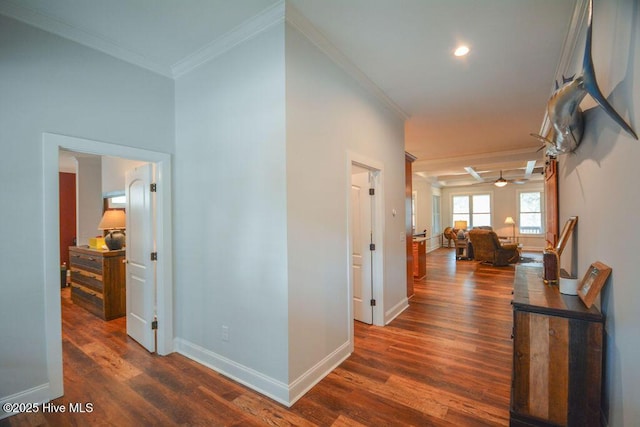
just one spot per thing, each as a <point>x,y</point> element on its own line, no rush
<point>446,361</point>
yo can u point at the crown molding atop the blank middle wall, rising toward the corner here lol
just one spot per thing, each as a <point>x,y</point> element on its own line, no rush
<point>245,31</point>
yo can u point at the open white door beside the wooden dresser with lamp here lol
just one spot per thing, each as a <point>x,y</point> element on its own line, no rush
<point>141,277</point>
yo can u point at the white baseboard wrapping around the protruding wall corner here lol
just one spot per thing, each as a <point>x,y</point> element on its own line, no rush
<point>286,394</point>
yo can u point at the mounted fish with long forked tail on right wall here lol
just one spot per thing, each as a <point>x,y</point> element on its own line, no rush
<point>563,108</point>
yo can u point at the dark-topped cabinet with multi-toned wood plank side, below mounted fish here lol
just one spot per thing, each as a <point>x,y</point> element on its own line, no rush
<point>557,355</point>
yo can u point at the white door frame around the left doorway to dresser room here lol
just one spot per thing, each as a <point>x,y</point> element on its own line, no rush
<point>51,144</point>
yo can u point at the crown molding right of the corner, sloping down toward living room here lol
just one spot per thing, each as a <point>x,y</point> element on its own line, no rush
<point>304,26</point>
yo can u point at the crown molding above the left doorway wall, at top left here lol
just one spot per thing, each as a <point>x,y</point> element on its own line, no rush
<point>79,35</point>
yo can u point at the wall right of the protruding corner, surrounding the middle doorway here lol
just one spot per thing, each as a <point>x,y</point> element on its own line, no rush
<point>330,115</point>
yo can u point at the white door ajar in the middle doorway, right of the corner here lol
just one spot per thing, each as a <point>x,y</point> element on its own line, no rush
<point>361,237</point>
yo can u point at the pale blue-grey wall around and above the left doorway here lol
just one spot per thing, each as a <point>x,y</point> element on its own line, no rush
<point>49,84</point>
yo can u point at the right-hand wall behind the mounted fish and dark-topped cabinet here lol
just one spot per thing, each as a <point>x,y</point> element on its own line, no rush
<point>598,183</point>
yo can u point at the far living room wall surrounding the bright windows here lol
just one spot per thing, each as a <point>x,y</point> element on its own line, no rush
<point>504,204</point>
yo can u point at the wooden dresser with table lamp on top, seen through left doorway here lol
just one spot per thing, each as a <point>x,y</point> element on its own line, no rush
<point>98,281</point>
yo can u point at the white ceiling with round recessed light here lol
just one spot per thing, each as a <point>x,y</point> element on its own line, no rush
<point>476,111</point>
